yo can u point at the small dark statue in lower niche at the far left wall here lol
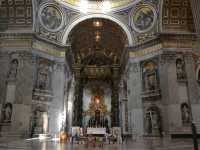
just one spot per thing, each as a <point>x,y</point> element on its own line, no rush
<point>7,113</point>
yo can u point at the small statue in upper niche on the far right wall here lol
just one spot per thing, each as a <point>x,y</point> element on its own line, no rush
<point>180,69</point>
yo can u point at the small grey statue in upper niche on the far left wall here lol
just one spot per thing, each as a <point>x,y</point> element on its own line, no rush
<point>13,69</point>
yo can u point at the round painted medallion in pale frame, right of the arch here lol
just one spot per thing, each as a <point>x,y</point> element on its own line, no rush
<point>143,18</point>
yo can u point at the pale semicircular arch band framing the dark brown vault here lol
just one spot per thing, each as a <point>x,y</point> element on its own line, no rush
<point>77,21</point>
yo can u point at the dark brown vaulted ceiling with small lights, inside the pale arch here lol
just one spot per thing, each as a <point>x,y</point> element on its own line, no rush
<point>97,42</point>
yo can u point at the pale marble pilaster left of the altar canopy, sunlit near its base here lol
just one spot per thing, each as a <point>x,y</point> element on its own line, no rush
<point>56,110</point>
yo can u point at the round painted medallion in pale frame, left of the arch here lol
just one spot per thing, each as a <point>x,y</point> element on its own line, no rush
<point>51,18</point>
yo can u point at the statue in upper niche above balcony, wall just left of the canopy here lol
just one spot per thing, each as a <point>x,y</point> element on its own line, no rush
<point>43,76</point>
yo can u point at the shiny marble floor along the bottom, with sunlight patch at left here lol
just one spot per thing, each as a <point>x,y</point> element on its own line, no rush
<point>139,144</point>
